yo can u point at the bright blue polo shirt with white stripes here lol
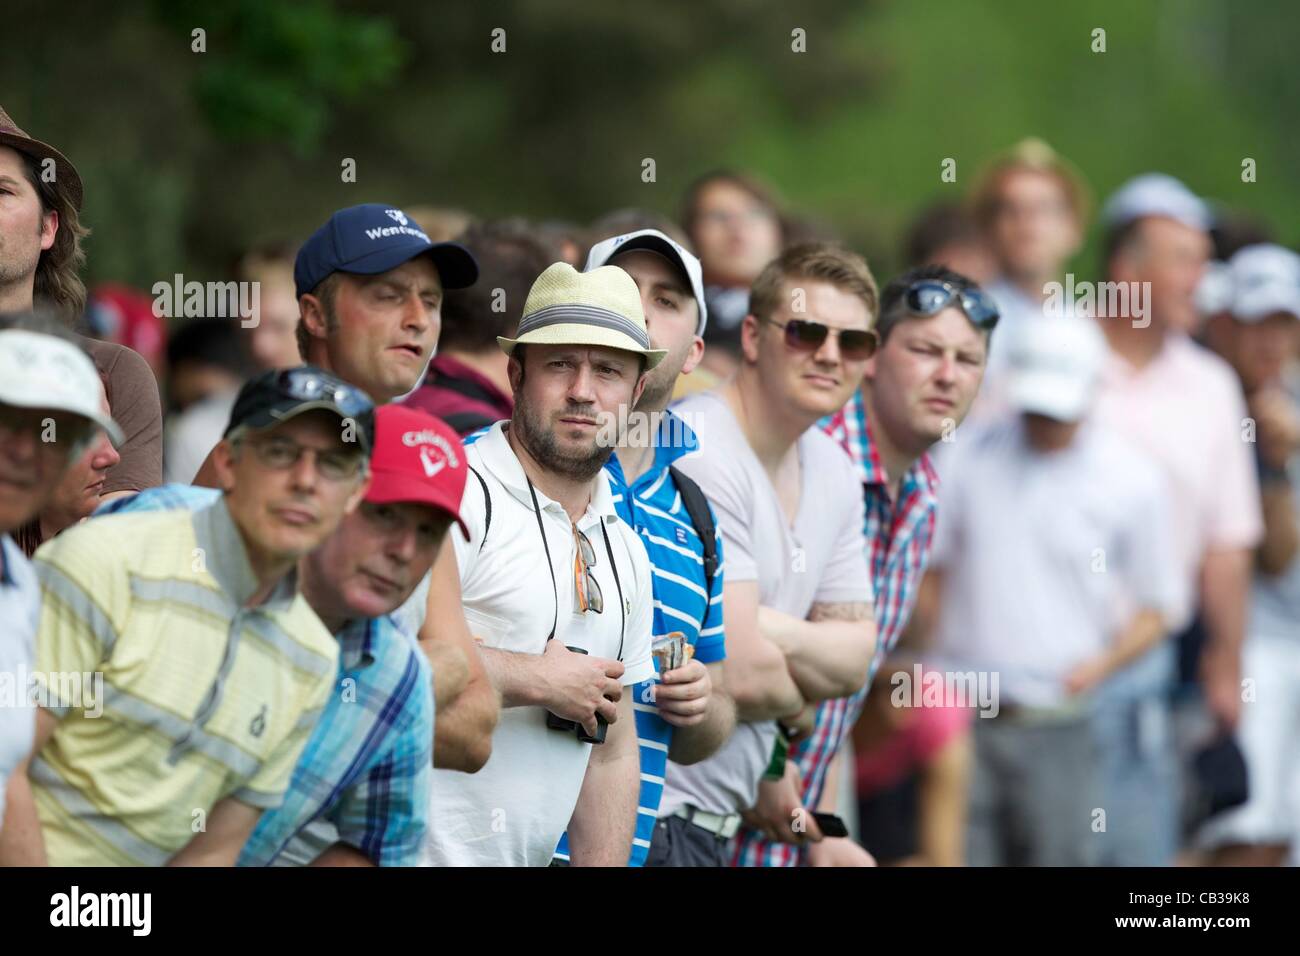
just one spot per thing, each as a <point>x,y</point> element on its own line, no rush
<point>655,509</point>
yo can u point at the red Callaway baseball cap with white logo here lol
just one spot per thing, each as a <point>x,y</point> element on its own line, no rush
<point>417,458</point>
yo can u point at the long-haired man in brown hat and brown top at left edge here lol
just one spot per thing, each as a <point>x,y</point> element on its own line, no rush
<point>41,257</point>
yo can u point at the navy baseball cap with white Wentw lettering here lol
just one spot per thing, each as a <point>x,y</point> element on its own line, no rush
<point>372,239</point>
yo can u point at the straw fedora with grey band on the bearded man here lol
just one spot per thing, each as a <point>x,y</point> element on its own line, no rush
<point>600,308</point>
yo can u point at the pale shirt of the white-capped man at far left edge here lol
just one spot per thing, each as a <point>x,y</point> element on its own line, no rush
<point>20,608</point>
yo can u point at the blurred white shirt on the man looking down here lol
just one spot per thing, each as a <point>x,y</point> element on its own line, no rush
<point>1047,556</point>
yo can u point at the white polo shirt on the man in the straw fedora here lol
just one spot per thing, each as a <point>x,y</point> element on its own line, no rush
<point>514,811</point>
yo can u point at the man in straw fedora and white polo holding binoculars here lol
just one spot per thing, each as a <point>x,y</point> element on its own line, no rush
<point>557,590</point>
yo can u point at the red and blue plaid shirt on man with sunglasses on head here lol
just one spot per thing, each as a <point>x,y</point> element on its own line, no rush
<point>899,540</point>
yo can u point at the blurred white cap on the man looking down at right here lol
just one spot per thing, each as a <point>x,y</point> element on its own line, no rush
<point>1056,367</point>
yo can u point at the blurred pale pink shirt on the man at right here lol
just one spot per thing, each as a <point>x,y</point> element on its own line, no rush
<point>1186,409</point>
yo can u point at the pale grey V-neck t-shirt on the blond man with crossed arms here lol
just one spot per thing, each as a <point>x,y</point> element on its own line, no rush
<point>821,560</point>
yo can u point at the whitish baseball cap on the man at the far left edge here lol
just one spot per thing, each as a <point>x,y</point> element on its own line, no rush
<point>40,371</point>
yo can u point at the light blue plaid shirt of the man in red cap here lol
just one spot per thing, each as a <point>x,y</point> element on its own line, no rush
<point>369,767</point>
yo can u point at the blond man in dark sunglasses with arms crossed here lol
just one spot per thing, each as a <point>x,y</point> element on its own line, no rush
<point>798,596</point>
